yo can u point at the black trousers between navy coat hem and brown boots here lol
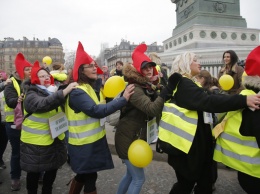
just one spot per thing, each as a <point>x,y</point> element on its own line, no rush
<point>89,181</point>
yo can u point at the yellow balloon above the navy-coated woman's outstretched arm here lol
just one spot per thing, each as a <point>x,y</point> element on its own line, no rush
<point>113,86</point>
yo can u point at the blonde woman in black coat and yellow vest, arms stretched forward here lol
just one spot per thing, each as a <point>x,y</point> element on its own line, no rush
<point>184,135</point>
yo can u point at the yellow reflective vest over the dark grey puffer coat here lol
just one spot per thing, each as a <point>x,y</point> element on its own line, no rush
<point>36,130</point>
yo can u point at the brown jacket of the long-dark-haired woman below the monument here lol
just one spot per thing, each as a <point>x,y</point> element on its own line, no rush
<point>237,72</point>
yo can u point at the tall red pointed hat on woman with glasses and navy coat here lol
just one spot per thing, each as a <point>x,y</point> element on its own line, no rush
<point>82,58</point>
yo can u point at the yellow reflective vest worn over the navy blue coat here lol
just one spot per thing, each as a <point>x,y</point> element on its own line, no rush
<point>82,128</point>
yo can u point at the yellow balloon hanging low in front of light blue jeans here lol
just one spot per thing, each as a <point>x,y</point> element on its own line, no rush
<point>140,153</point>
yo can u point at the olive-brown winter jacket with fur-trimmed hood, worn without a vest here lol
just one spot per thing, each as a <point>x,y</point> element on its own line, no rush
<point>142,106</point>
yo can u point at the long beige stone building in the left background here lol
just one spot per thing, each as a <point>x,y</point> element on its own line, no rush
<point>32,50</point>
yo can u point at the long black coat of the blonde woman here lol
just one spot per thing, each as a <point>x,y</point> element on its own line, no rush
<point>199,159</point>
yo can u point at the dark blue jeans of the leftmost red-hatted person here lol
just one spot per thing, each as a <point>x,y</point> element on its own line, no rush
<point>14,139</point>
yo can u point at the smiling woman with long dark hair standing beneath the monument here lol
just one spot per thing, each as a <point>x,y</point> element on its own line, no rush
<point>231,68</point>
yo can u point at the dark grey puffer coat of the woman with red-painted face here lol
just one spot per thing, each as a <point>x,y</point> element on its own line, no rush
<point>37,158</point>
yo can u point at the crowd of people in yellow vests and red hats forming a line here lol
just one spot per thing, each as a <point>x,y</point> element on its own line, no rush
<point>186,104</point>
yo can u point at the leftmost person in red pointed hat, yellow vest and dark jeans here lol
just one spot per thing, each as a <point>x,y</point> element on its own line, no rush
<point>13,94</point>
